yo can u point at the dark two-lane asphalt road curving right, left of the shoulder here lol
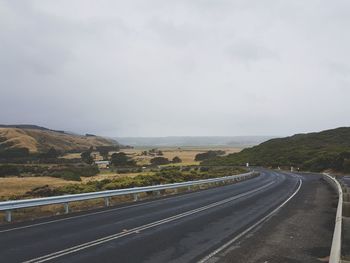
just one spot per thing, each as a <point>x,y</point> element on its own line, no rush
<point>182,228</point>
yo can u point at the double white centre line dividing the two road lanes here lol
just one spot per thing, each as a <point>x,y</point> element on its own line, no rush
<point>140,228</point>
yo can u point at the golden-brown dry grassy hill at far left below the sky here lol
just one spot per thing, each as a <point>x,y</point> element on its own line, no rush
<point>39,139</point>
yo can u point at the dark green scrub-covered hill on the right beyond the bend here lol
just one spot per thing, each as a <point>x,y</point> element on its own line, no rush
<point>313,151</point>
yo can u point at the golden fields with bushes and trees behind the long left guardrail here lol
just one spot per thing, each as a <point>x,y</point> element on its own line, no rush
<point>53,172</point>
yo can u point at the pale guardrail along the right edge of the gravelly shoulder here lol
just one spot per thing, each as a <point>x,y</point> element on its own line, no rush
<point>335,256</point>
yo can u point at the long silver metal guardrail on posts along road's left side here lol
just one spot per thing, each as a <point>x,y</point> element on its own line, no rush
<point>8,206</point>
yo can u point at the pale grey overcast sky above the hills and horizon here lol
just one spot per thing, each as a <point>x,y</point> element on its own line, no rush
<point>184,67</point>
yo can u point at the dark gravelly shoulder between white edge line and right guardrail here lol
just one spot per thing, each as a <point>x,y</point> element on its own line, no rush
<point>300,232</point>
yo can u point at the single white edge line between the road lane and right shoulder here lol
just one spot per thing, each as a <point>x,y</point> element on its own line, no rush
<point>262,220</point>
